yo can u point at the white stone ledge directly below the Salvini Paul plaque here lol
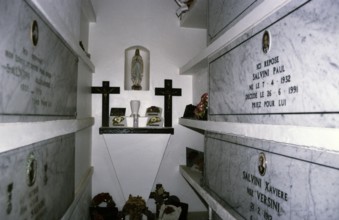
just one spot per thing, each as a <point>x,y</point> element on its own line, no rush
<point>317,137</point>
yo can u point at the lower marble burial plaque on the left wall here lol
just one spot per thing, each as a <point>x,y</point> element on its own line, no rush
<point>37,182</point>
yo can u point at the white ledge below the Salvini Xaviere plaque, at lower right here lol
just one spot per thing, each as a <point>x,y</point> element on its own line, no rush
<point>222,209</point>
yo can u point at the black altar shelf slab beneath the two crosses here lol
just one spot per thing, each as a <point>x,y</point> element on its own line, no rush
<point>131,130</point>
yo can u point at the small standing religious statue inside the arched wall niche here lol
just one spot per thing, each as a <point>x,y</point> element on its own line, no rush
<point>137,70</point>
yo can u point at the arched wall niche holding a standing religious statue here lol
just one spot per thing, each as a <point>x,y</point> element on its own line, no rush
<point>137,68</point>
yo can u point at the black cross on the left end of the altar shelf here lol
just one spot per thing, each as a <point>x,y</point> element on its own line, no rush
<point>105,90</point>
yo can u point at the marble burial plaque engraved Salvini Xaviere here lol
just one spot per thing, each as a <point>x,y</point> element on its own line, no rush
<point>268,180</point>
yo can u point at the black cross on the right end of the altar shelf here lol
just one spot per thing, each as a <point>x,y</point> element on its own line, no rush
<point>168,92</point>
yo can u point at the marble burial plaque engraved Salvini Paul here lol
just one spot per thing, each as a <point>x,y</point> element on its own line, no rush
<point>284,70</point>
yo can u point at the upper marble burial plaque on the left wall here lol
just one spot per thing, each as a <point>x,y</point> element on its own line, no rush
<point>38,73</point>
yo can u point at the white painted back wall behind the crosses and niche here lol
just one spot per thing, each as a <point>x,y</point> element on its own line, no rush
<point>154,25</point>
